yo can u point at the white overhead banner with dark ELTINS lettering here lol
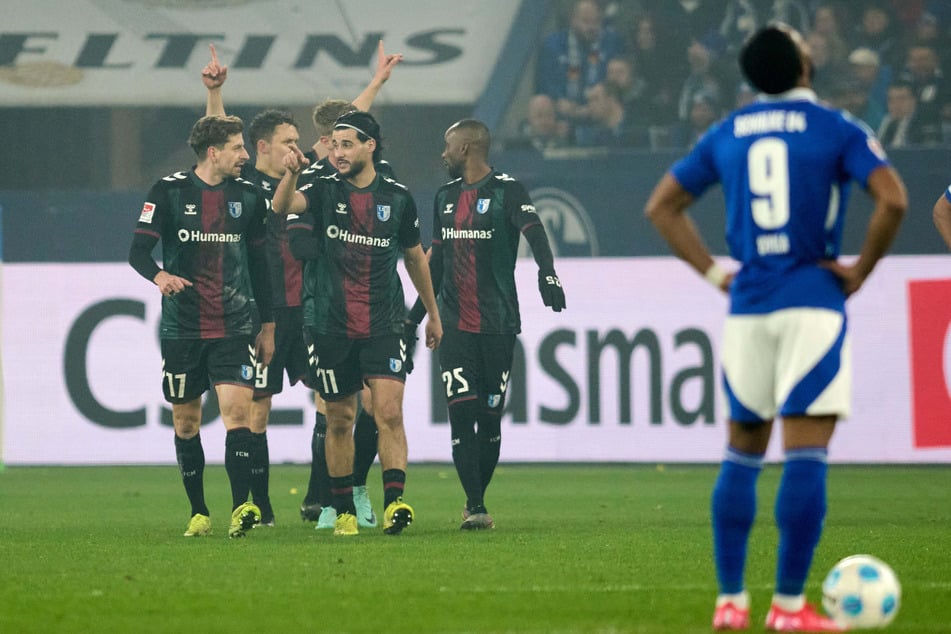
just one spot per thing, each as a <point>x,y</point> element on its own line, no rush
<point>280,52</point>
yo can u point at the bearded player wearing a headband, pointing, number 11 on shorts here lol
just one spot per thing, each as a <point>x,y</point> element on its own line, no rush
<point>350,228</point>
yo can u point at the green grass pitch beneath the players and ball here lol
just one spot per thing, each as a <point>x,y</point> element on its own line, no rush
<point>578,548</point>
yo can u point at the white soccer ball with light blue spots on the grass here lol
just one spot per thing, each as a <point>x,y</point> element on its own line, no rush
<point>861,591</point>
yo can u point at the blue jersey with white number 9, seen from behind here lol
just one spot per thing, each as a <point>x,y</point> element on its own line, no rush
<point>785,164</point>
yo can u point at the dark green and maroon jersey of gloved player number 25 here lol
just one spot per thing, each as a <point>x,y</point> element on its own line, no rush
<point>476,230</point>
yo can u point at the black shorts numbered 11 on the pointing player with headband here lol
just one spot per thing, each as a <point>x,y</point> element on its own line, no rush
<point>339,366</point>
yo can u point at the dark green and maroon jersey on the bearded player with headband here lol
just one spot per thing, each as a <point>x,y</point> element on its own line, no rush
<point>352,287</point>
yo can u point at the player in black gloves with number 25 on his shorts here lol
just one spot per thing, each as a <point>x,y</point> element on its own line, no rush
<point>478,219</point>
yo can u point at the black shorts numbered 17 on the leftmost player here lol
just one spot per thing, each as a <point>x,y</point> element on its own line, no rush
<point>191,366</point>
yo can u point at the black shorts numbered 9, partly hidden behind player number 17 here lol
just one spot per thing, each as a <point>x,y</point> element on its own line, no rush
<point>290,355</point>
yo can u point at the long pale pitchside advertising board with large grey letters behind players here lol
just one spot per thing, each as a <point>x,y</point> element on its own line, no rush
<point>629,372</point>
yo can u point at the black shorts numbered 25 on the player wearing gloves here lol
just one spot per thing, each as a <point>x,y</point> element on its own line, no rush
<point>476,366</point>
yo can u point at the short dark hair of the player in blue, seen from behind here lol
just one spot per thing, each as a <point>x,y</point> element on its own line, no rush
<point>770,61</point>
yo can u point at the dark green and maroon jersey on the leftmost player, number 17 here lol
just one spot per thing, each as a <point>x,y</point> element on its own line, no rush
<point>213,236</point>
